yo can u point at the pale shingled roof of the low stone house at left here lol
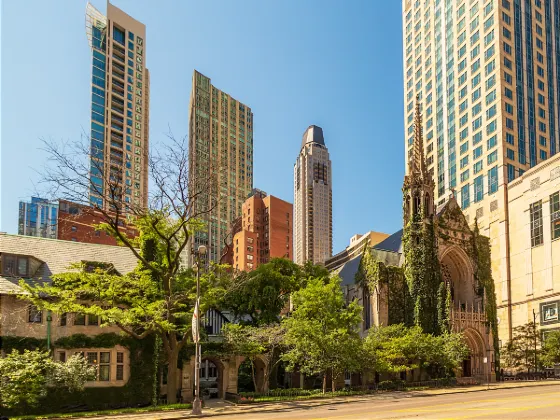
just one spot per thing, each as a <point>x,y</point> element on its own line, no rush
<point>57,256</point>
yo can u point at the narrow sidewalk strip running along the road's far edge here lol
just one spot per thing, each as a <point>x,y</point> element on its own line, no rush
<point>216,408</point>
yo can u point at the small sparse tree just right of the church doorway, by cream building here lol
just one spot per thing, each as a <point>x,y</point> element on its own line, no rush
<point>521,352</point>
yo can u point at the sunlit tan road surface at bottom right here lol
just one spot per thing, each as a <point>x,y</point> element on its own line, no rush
<point>521,403</point>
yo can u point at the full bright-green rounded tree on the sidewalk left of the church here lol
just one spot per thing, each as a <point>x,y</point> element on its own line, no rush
<point>321,331</point>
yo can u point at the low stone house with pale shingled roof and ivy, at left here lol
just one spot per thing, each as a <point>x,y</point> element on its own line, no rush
<point>36,260</point>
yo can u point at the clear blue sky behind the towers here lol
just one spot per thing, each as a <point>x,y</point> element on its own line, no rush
<point>336,64</point>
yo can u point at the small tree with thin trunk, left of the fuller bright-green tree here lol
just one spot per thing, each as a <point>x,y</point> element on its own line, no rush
<point>256,343</point>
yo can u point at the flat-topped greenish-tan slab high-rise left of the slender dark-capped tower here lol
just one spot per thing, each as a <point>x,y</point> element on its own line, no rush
<point>220,161</point>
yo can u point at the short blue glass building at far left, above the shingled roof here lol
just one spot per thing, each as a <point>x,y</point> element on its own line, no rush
<point>38,218</point>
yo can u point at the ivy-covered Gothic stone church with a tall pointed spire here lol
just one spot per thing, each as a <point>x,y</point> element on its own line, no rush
<point>435,258</point>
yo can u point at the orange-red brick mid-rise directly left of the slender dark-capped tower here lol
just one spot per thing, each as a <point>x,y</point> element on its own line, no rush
<point>266,231</point>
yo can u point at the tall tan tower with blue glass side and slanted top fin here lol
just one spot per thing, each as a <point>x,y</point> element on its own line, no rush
<point>120,91</point>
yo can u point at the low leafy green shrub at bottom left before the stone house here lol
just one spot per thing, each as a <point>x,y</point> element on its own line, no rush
<point>24,377</point>
